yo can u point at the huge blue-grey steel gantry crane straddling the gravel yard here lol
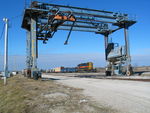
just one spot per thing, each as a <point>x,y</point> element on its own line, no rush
<point>42,20</point>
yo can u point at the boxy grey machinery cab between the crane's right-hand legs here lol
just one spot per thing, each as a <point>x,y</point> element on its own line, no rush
<point>116,59</point>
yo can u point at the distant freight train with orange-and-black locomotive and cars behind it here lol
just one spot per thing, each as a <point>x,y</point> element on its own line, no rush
<point>83,67</point>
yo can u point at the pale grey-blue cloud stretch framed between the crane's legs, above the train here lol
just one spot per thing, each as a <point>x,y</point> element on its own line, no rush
<point>69,60</point>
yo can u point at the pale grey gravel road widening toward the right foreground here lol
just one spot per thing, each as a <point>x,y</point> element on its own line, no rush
<point>121,95</point>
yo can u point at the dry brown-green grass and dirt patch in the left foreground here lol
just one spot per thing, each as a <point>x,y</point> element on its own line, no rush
<point>22,95</point>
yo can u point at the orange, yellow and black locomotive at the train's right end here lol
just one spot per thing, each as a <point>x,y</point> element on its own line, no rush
<point>87,67</point>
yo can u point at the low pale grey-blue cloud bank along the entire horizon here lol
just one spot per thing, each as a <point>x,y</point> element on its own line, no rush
<point>17,62</point>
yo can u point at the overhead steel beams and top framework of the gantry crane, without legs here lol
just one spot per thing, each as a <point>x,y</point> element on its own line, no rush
<point>90,20</point>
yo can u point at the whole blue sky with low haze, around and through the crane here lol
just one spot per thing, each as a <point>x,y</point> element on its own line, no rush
<point>83,46</point>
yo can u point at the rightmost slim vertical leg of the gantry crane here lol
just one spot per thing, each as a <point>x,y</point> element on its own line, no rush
<point>127,47</point>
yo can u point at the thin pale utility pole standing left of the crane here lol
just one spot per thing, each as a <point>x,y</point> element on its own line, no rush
<point>6,51</point>
